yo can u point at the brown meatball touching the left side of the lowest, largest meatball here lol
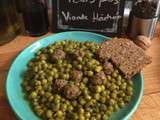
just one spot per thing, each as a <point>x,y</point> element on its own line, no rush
<point>59,84</point>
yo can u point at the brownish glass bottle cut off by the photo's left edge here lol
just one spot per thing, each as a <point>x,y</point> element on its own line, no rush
<point>10,25</point>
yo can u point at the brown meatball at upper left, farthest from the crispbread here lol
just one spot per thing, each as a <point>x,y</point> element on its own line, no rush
<point>58,55</point>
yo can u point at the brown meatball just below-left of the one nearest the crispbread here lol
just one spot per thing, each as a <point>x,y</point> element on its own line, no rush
<point>98,78</point>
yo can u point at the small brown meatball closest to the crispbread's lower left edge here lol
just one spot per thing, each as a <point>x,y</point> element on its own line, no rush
<point>108,67</point>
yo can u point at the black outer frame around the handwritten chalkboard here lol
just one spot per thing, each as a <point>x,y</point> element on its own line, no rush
<point>55,21</point>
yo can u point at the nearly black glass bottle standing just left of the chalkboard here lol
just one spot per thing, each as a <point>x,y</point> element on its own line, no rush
<point>35,17</point>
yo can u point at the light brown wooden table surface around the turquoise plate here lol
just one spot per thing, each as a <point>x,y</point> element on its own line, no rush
<point>149,108</point>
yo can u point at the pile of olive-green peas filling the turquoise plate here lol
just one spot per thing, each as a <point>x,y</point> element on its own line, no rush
<point>96,102</point>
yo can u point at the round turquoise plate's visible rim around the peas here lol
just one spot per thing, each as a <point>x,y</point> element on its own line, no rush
<point>13,85</point>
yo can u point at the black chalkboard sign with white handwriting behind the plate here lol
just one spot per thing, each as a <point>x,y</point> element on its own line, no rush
<point>102,16</point>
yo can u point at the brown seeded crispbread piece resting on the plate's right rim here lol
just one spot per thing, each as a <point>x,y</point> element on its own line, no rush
<point>125,55</point>
